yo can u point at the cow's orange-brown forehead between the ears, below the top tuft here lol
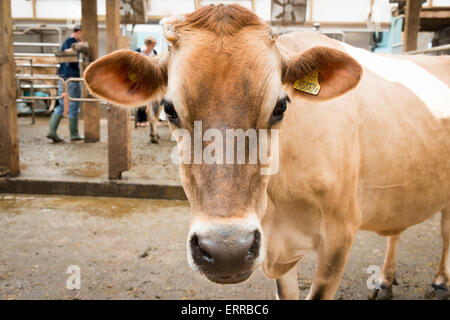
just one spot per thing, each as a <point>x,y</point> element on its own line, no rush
<point>229,77</point>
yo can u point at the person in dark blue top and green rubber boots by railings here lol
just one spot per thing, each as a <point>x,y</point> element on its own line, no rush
<point>65,71</point>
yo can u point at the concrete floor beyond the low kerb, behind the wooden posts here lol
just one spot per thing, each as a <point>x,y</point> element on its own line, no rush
<point>41,159</point>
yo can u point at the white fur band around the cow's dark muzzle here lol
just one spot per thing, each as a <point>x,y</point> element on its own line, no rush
<point>248,224</point>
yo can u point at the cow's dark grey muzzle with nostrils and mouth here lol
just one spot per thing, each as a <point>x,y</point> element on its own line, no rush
<point>226,256</point>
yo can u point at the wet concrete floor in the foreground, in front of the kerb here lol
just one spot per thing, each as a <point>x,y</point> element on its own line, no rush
<point>135,249</point>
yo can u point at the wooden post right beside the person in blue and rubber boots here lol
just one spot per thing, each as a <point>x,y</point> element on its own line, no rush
<point>91,110</point>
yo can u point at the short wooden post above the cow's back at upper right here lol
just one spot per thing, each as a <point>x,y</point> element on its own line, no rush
<point>412,24</point>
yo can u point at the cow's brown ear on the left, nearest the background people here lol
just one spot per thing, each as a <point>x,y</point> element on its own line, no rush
<point>126,78</point>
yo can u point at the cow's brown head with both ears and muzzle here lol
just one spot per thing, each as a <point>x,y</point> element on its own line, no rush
<point>223,69</point>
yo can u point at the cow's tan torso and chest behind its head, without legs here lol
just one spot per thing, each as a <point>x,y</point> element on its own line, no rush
<point>379,146</point>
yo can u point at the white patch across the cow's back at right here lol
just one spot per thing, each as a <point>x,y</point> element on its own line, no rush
<point>432,91</point>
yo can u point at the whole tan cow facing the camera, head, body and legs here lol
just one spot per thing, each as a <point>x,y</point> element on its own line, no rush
<point>374,158</point>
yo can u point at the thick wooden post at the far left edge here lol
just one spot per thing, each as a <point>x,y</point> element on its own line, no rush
<point>9,141</point>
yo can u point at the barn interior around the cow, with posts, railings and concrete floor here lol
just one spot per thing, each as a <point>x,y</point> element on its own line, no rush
<point>62,188</point>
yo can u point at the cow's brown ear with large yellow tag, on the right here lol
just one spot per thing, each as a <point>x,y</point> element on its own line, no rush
<point>321,73</point>
